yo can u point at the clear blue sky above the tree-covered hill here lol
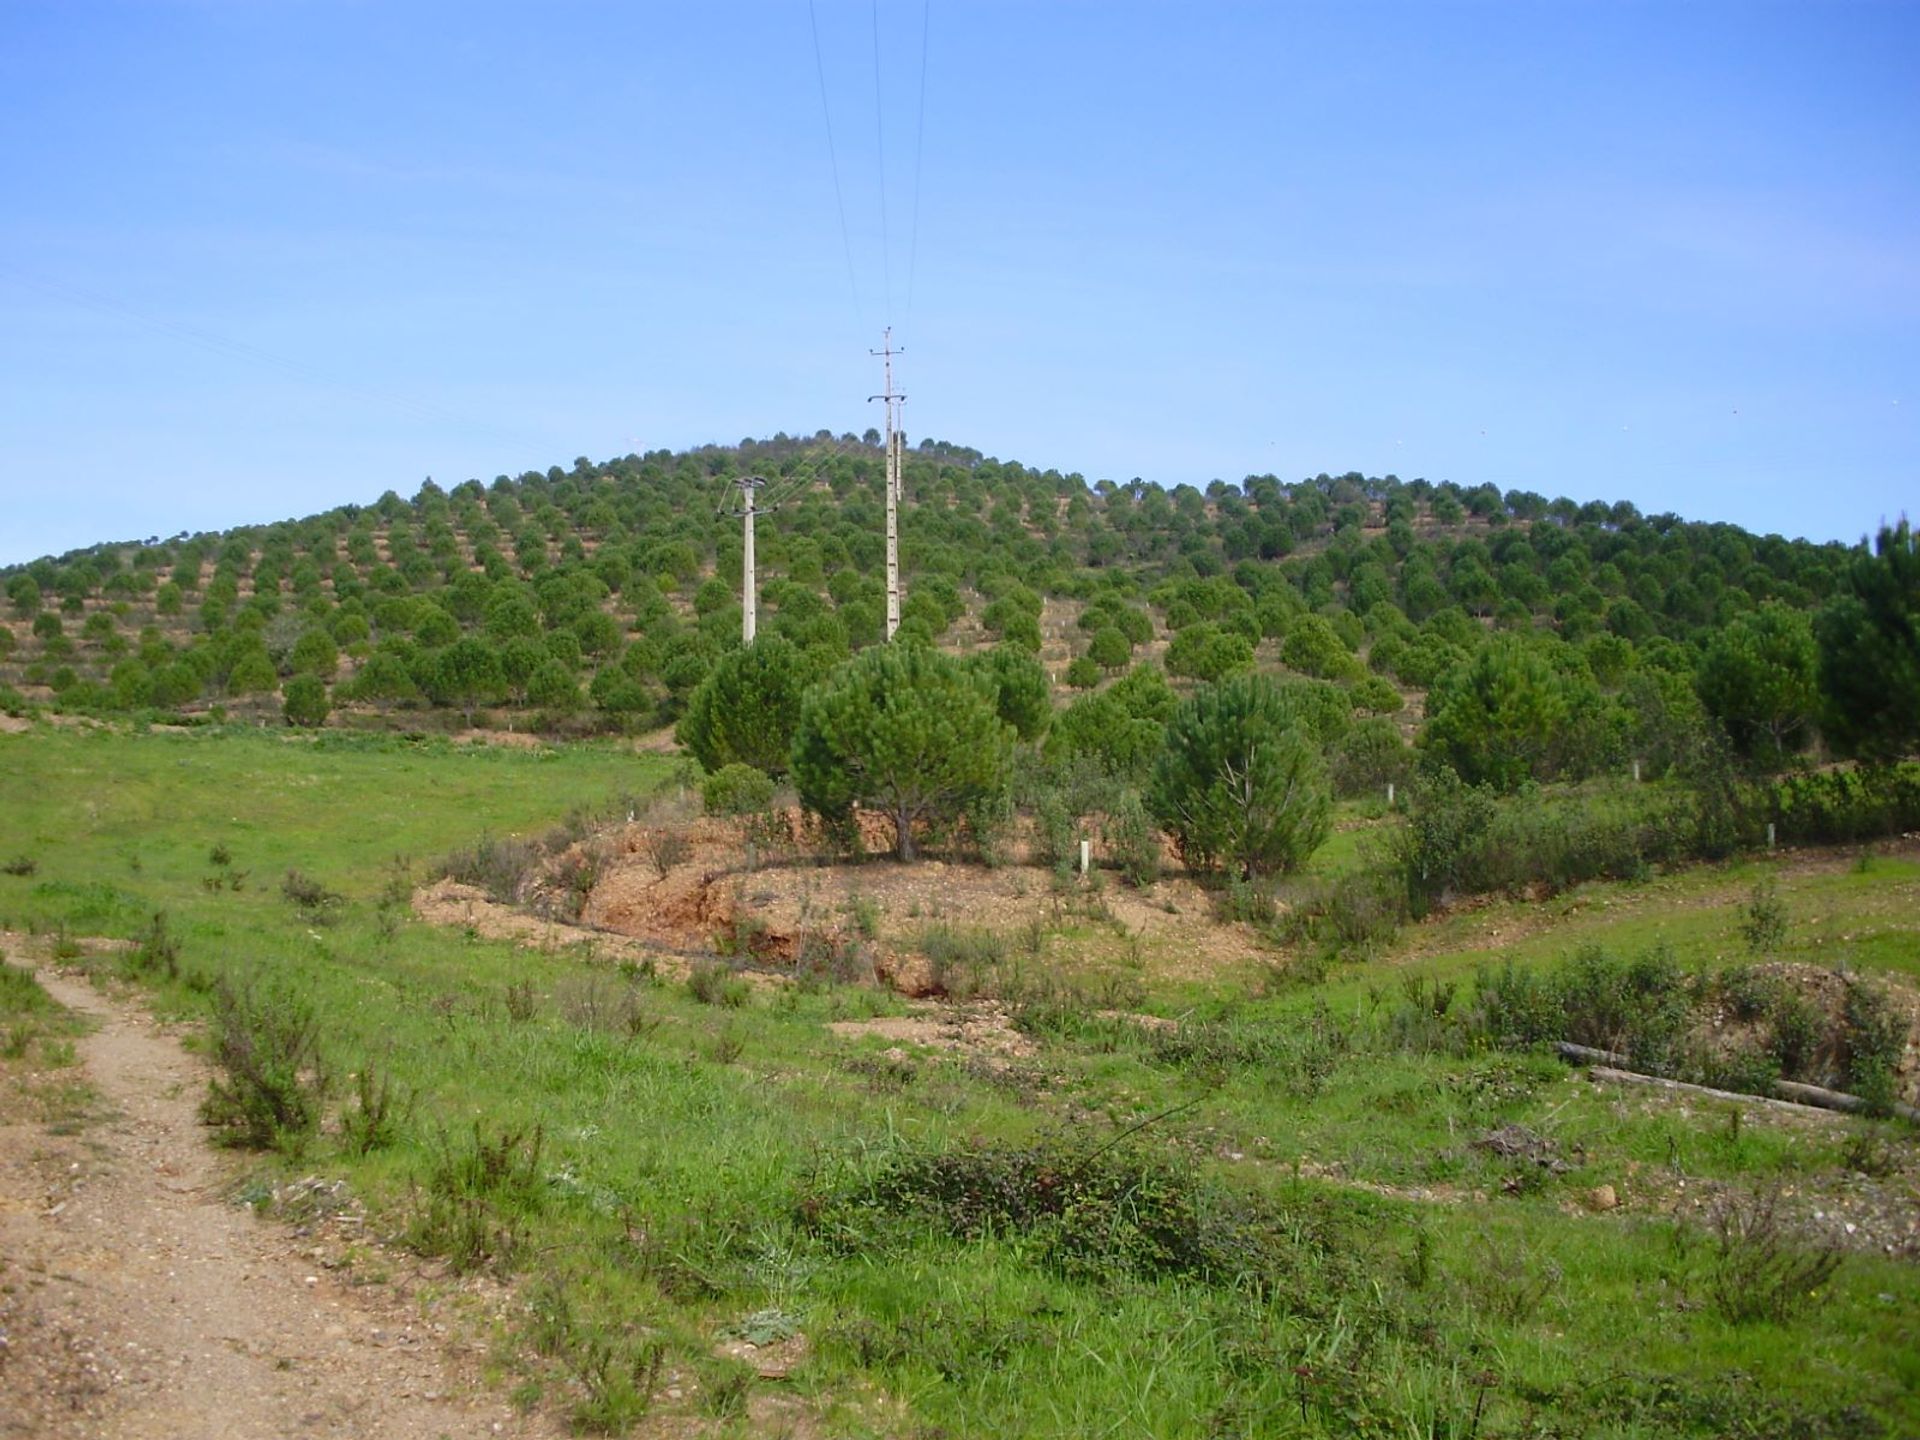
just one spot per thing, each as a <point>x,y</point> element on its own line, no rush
<point>262,258</point>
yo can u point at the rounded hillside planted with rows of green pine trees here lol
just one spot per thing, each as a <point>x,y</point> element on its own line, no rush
<point>602,596</point>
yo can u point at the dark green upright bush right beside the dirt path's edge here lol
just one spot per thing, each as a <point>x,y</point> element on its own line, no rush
<point>274,1078</point>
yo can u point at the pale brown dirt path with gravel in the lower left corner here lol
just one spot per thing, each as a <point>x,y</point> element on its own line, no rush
<point>135,1301</point>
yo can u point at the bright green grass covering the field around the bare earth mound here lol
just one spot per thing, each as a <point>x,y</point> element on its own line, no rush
<point>982,1245</point>
